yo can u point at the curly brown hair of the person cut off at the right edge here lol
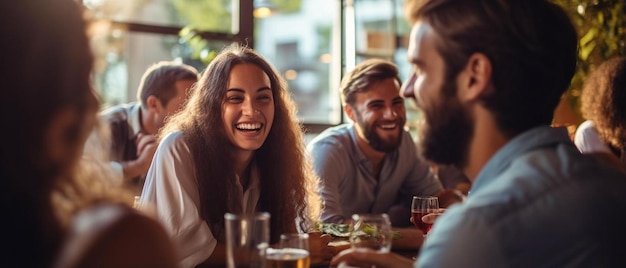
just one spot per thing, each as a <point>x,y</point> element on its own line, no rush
<point>604,101</point>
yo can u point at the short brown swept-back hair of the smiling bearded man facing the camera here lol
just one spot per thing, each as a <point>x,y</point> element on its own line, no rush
<point>364,75</point>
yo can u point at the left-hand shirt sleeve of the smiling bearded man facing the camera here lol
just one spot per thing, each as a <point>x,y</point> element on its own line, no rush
<point>329,162</point>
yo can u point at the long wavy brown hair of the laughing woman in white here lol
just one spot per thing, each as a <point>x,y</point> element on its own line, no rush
<point>287,181</point>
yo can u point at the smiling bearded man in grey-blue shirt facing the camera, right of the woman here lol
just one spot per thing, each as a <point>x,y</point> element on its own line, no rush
<point>371,165</point>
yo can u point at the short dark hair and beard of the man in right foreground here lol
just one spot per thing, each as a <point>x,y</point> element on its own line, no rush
<point>532,46</point>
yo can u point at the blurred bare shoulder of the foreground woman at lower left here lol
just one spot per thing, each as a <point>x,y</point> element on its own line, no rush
<point>109,235</point>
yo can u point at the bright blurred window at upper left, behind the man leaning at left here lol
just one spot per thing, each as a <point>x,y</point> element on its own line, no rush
<point>128,36</point>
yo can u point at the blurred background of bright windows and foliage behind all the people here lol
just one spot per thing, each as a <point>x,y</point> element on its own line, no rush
<point>312,42</point>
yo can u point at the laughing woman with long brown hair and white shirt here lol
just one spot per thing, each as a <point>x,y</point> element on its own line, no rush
<point>236,147</point>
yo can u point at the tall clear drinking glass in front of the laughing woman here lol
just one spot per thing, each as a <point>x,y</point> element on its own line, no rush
<point>247,238</point>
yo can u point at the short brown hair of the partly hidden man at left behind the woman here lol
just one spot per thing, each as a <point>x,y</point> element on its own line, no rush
<point>159,80</point>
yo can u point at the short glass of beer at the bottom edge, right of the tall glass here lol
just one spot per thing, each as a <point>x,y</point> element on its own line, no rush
<point>292,252</point>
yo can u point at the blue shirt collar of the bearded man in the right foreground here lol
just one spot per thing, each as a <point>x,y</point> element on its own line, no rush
<point>527,141</point>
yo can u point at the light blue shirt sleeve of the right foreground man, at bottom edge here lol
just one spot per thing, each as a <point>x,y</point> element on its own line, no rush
<point>459,240</point>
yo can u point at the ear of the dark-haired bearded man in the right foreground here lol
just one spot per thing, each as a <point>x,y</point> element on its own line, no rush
<point>475,78</point>
